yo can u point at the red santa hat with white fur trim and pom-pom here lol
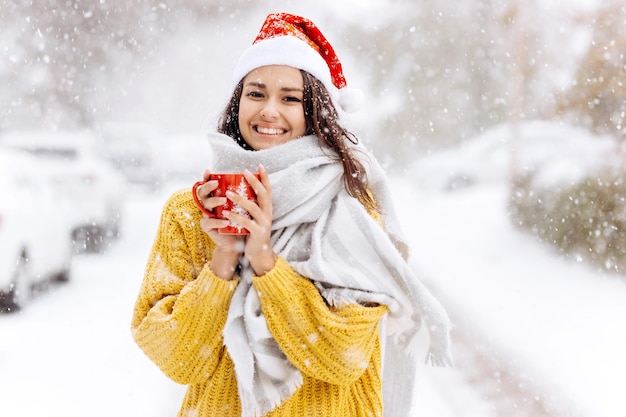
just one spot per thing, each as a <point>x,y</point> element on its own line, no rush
<point>286,39</point>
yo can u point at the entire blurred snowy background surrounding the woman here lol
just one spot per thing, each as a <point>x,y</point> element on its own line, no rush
<point>501,115</point>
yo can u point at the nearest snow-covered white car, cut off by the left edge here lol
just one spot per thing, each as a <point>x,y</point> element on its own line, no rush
<point>35,243</point>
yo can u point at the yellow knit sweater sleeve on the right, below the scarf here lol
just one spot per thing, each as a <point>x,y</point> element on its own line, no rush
<point>333,344</point>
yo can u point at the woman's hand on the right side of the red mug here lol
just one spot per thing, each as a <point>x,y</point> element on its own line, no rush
<point>257,247</point>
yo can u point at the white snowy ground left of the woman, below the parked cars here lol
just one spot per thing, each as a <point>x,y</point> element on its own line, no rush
<point>70,352</point>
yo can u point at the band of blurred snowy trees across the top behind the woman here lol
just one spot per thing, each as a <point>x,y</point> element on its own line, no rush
<point>434,74</point>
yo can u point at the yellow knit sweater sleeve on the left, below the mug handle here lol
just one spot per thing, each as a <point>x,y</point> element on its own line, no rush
<point>179,292</point>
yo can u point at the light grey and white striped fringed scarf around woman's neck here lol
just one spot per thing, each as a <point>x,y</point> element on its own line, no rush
<point>327,236</point>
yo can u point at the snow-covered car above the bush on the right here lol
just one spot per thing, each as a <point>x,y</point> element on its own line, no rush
<point>556,151</point>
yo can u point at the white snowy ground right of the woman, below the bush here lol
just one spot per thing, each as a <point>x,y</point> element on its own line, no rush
<point>560,322</point>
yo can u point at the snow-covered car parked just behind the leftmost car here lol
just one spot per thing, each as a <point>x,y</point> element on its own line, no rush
<point>93,189</point>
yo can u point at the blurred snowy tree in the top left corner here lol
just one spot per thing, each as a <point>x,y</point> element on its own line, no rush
<point>59,55</point>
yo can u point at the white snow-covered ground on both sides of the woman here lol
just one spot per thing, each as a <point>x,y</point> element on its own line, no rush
<point>554,325</point>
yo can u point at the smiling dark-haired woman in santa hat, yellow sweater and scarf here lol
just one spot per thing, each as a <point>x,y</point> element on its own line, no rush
<point>286,321</point>
